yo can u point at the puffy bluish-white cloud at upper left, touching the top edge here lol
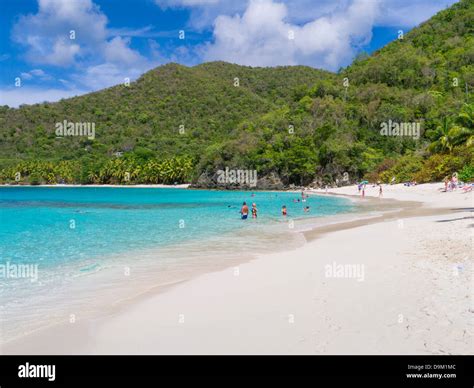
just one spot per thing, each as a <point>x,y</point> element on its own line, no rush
<point>47,36</point>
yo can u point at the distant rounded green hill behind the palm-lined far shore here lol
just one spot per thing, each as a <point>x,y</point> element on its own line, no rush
<point>149,112</point>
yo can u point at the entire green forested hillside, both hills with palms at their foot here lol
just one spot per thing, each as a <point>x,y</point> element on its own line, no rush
<point>303,124</point>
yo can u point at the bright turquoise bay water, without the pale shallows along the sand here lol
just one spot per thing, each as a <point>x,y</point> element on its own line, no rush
<point>61,225</point>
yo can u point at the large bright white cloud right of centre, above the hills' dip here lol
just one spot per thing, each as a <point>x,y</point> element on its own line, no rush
<point>262,36</point>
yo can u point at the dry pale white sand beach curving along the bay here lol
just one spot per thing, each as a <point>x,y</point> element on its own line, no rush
<point>405,287</point>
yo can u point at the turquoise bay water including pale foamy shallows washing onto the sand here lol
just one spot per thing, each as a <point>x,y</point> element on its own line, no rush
<point>72,232</point>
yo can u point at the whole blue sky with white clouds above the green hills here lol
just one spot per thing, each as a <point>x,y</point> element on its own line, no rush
<point>51,49</point>
